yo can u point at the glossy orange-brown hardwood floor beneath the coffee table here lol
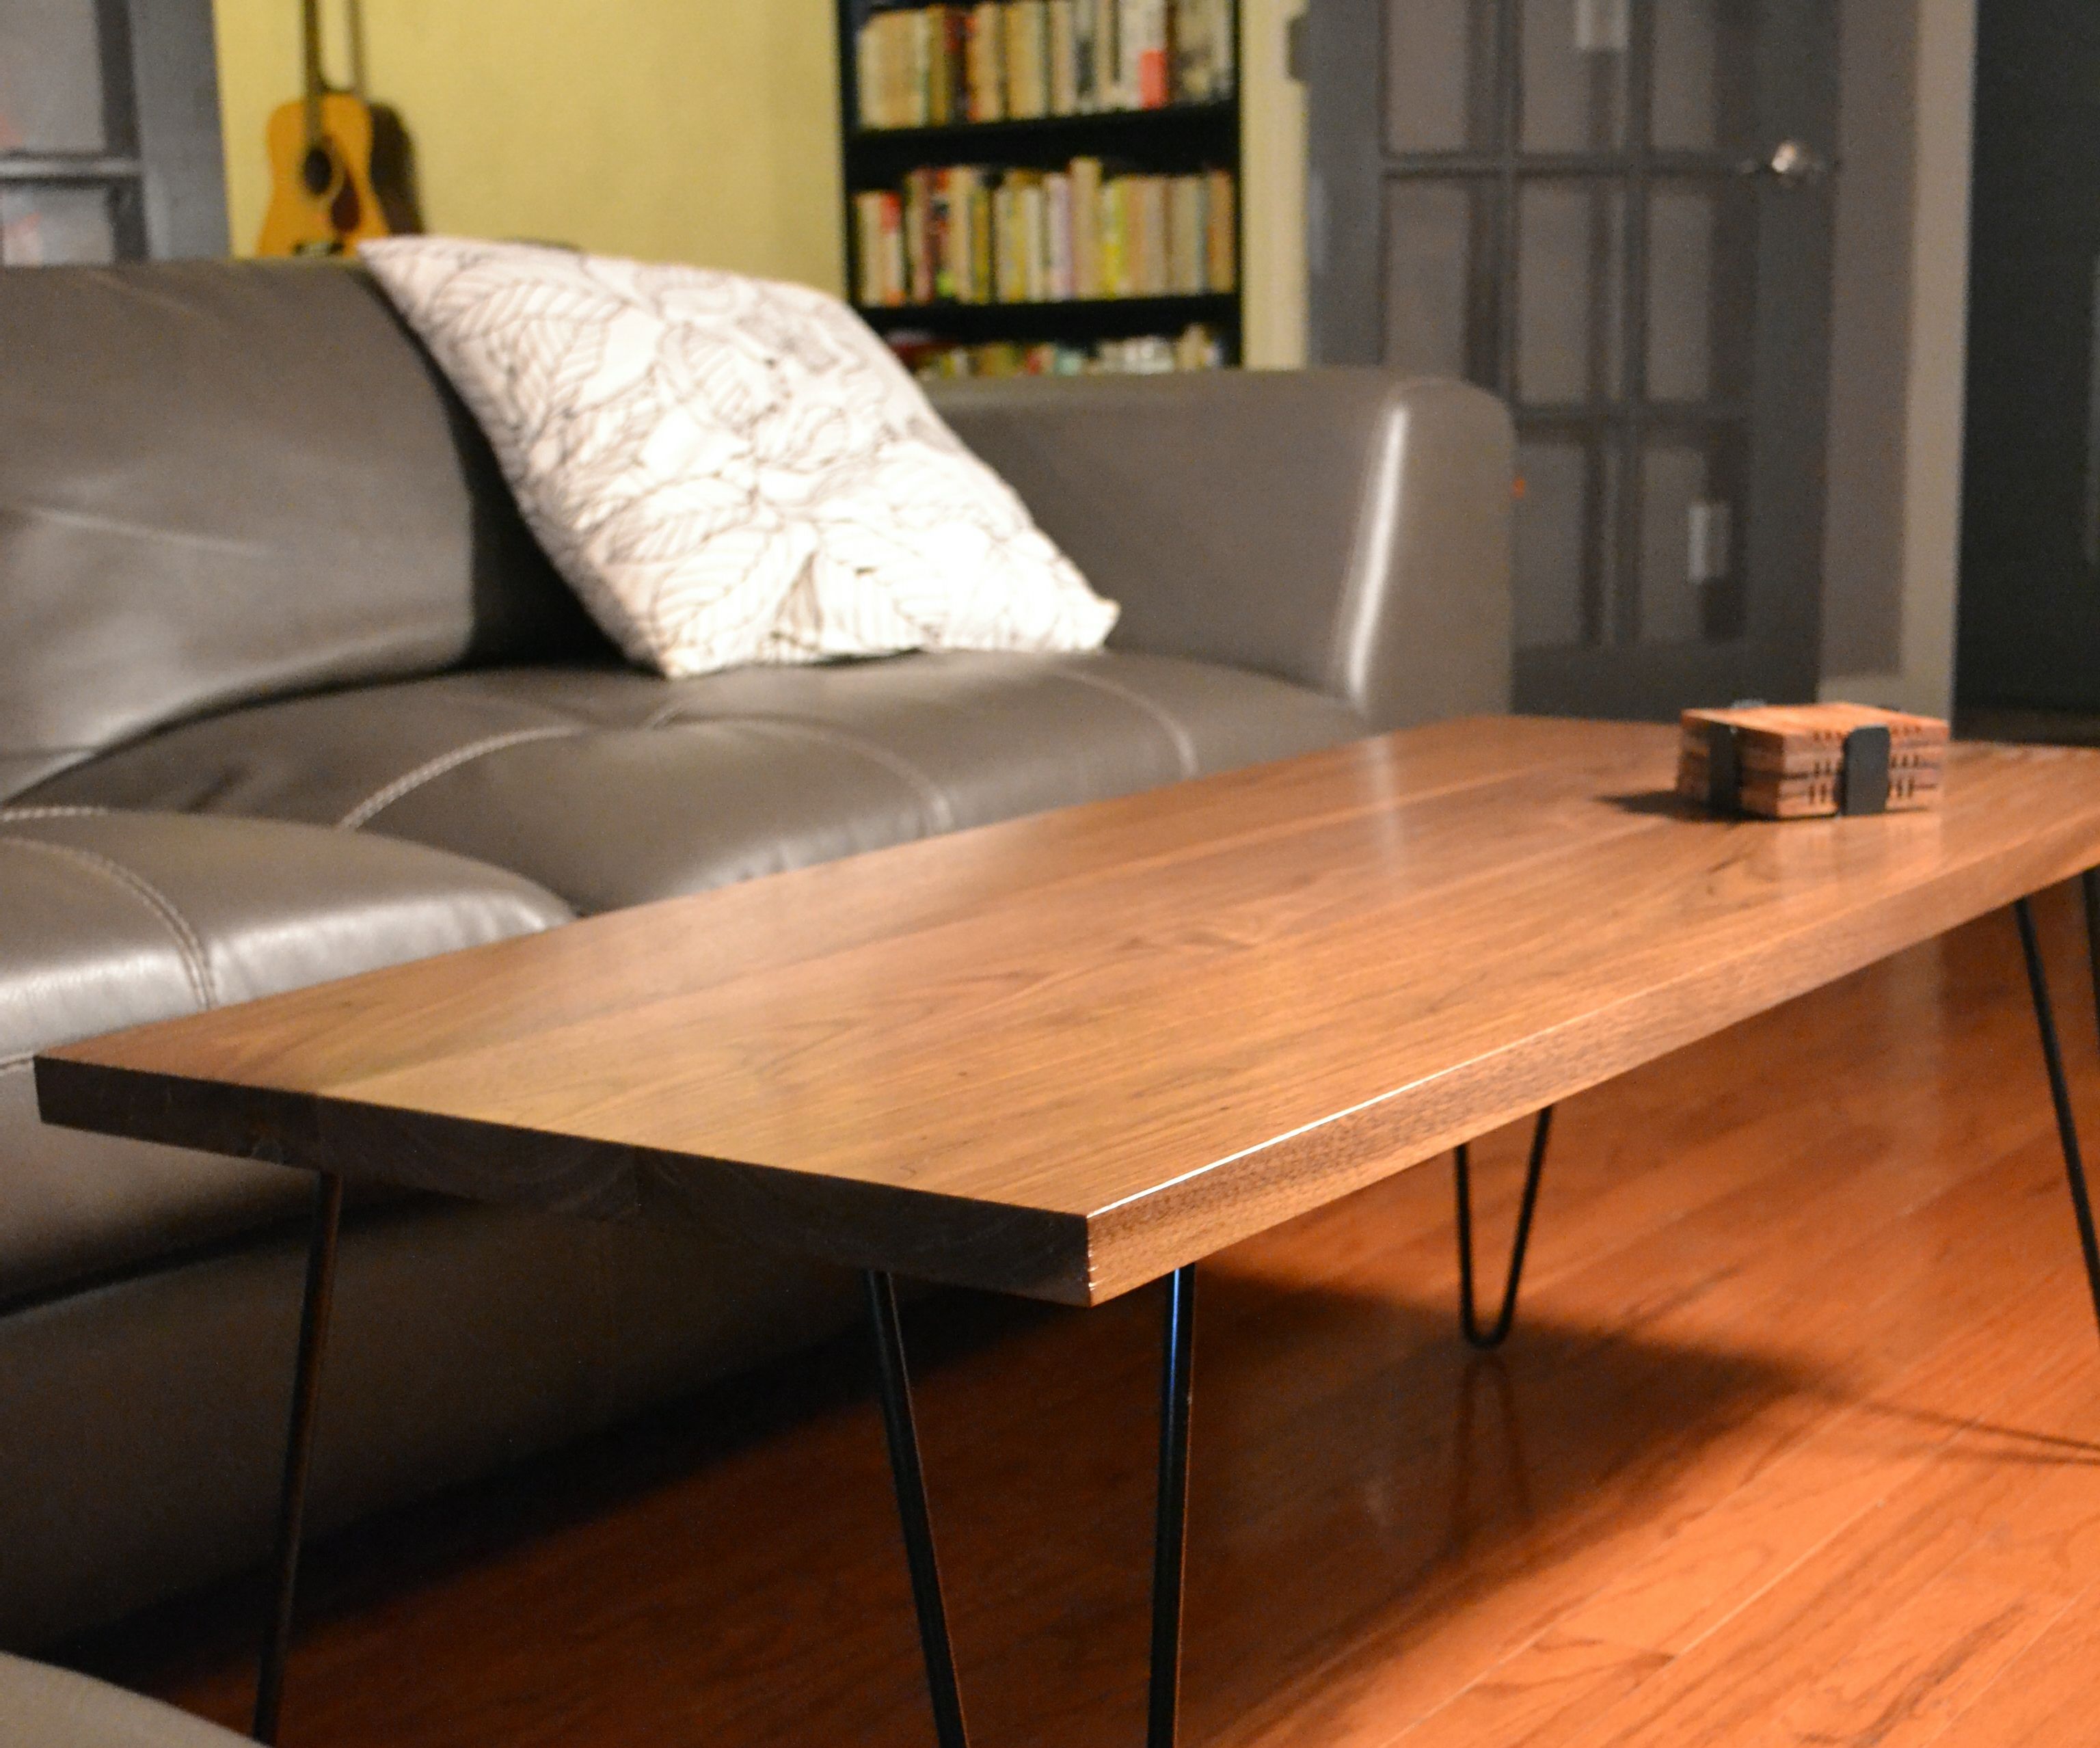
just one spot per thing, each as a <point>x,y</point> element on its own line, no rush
<point>1797,1442</point>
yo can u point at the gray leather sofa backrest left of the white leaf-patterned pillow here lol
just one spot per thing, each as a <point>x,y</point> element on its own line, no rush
<point>232,480</point>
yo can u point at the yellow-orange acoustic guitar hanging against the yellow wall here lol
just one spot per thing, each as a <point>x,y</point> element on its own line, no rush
<point>341,167</point>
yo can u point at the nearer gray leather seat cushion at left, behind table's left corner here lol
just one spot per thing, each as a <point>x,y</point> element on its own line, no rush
<point>121,919</point>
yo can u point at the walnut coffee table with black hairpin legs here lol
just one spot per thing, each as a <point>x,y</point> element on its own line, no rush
<point>1074,1054</point>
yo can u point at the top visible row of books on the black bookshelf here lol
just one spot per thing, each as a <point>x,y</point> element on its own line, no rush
<point>1017,60</point>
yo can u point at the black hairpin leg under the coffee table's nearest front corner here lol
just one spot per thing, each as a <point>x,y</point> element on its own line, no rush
<point>1169,1533</point>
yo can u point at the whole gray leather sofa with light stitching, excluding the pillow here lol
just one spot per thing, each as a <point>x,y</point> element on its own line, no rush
<point>289,692</point>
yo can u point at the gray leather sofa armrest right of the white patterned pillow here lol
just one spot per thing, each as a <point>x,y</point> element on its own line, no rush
<point>1341,528</point>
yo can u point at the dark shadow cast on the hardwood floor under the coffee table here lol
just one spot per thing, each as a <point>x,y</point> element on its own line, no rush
<point>734,1562</point>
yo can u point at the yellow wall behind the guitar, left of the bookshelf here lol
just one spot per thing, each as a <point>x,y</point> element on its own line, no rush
<point>669,129</point>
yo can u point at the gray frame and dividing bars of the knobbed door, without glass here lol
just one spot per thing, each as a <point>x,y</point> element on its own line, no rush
<point>1780,539</point>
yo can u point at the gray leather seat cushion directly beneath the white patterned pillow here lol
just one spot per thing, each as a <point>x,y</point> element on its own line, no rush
<point>614,789</point>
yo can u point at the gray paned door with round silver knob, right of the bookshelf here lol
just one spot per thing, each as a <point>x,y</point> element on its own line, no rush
<point>1616,215</point>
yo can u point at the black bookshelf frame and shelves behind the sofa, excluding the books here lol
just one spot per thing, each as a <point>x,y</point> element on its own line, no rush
<point>1175,140</point>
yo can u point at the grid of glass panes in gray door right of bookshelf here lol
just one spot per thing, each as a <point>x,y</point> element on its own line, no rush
<point>1582,245</point>
